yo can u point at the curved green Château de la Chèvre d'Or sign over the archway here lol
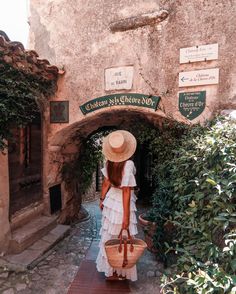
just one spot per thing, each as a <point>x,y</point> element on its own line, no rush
<point>121,100</point>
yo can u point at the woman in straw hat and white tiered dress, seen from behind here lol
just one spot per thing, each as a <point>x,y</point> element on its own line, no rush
<point>117,200</point>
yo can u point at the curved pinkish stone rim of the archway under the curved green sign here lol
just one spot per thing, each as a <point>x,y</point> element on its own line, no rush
<point>63,147</point>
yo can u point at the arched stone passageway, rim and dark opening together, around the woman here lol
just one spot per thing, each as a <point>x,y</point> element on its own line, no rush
<point>72,141</point>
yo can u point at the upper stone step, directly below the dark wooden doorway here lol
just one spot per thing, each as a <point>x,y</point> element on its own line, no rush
<point>31,232</point>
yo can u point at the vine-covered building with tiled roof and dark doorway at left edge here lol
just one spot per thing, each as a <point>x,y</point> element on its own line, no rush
<point>21,169</point>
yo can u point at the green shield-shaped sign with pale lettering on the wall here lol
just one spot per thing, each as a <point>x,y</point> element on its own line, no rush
<point>192,104</point>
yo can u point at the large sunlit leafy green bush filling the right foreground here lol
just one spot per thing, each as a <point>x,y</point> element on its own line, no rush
<point>203,175</point>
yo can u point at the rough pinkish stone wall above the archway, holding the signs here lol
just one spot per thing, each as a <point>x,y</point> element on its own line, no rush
<point>76,36</point>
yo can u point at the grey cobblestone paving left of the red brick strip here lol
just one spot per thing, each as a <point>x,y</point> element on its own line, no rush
<point>55,272</point>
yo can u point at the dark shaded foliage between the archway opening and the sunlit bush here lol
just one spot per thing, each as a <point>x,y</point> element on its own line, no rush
<point>161,143</point>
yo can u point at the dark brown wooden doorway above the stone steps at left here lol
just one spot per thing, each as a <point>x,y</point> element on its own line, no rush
<point>25,158</point>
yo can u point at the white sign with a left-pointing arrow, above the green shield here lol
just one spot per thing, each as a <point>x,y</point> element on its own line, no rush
<point>199,77</point>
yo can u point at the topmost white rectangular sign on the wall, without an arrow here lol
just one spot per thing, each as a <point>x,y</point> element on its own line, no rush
<point>199,53</point>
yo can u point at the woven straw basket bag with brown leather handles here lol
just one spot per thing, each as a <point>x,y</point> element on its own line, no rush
<point>124,252</point>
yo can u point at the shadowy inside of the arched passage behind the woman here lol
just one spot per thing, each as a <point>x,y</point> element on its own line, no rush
<point>130,121</point>
